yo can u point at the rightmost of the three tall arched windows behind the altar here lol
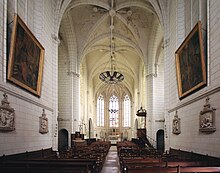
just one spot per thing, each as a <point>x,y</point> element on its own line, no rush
<point>127,111</point>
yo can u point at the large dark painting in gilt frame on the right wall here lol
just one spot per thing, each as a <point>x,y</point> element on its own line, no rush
<point>190,63</point>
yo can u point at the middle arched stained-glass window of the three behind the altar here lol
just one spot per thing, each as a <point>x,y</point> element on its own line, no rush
<point>113,111</point>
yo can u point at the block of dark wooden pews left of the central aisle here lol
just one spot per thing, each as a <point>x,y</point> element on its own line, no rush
<point>79,159</point>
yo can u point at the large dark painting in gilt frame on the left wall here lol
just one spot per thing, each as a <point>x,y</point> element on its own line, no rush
<point>26,57</point>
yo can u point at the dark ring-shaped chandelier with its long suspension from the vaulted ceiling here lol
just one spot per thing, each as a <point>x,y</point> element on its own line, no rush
<point>111,76</point>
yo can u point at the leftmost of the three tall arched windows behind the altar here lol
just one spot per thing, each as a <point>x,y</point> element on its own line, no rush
<point>100,111</point>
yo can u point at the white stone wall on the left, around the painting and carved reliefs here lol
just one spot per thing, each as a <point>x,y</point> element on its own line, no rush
<point>28,108</point>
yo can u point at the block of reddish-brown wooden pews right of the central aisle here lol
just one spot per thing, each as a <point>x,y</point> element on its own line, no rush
<point>134,159</point>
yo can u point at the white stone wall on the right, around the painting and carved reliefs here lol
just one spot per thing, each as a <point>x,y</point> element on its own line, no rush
<point>189,108</point>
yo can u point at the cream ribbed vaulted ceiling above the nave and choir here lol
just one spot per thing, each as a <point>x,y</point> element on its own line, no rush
<point>86,33</point>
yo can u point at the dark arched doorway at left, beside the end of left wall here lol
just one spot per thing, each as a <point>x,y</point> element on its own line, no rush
<point>62,140</point>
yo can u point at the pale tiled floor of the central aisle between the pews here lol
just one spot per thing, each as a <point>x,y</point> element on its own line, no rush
<point>111,164</point>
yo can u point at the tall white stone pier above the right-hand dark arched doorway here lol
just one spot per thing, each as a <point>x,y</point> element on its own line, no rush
<point>155,84</point>
